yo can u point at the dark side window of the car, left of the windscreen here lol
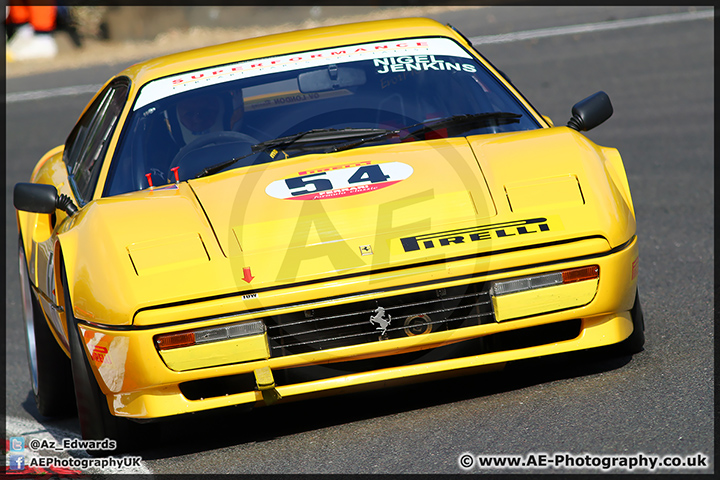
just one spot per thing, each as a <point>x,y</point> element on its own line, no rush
<point>88,142</point>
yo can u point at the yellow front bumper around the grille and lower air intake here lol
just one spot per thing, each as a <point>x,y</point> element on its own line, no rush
<point>139,384</point>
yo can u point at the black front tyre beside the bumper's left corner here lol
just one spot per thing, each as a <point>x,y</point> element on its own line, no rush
<point>96,421</point>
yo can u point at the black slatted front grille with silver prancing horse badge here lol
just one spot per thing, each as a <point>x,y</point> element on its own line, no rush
<point>380,319</point>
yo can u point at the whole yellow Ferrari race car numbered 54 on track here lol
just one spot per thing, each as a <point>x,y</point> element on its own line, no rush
<point>310,213</point>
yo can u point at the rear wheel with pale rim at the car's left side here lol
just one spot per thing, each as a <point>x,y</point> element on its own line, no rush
<point>50,372</point>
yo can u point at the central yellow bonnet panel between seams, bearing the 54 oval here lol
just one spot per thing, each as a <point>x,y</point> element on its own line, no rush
<point>372,197</point>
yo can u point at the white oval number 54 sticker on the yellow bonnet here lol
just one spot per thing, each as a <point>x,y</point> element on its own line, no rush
<point>339,181</point>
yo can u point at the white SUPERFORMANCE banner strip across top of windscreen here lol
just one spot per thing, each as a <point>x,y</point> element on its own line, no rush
<point>419,50</point>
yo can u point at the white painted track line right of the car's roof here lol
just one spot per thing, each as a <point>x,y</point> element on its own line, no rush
<point>591,27</point>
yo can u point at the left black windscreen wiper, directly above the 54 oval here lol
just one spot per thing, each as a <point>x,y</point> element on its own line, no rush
<point>310,138</point>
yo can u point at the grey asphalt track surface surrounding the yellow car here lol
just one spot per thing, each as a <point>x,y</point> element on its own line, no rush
<point>659,77</point>
